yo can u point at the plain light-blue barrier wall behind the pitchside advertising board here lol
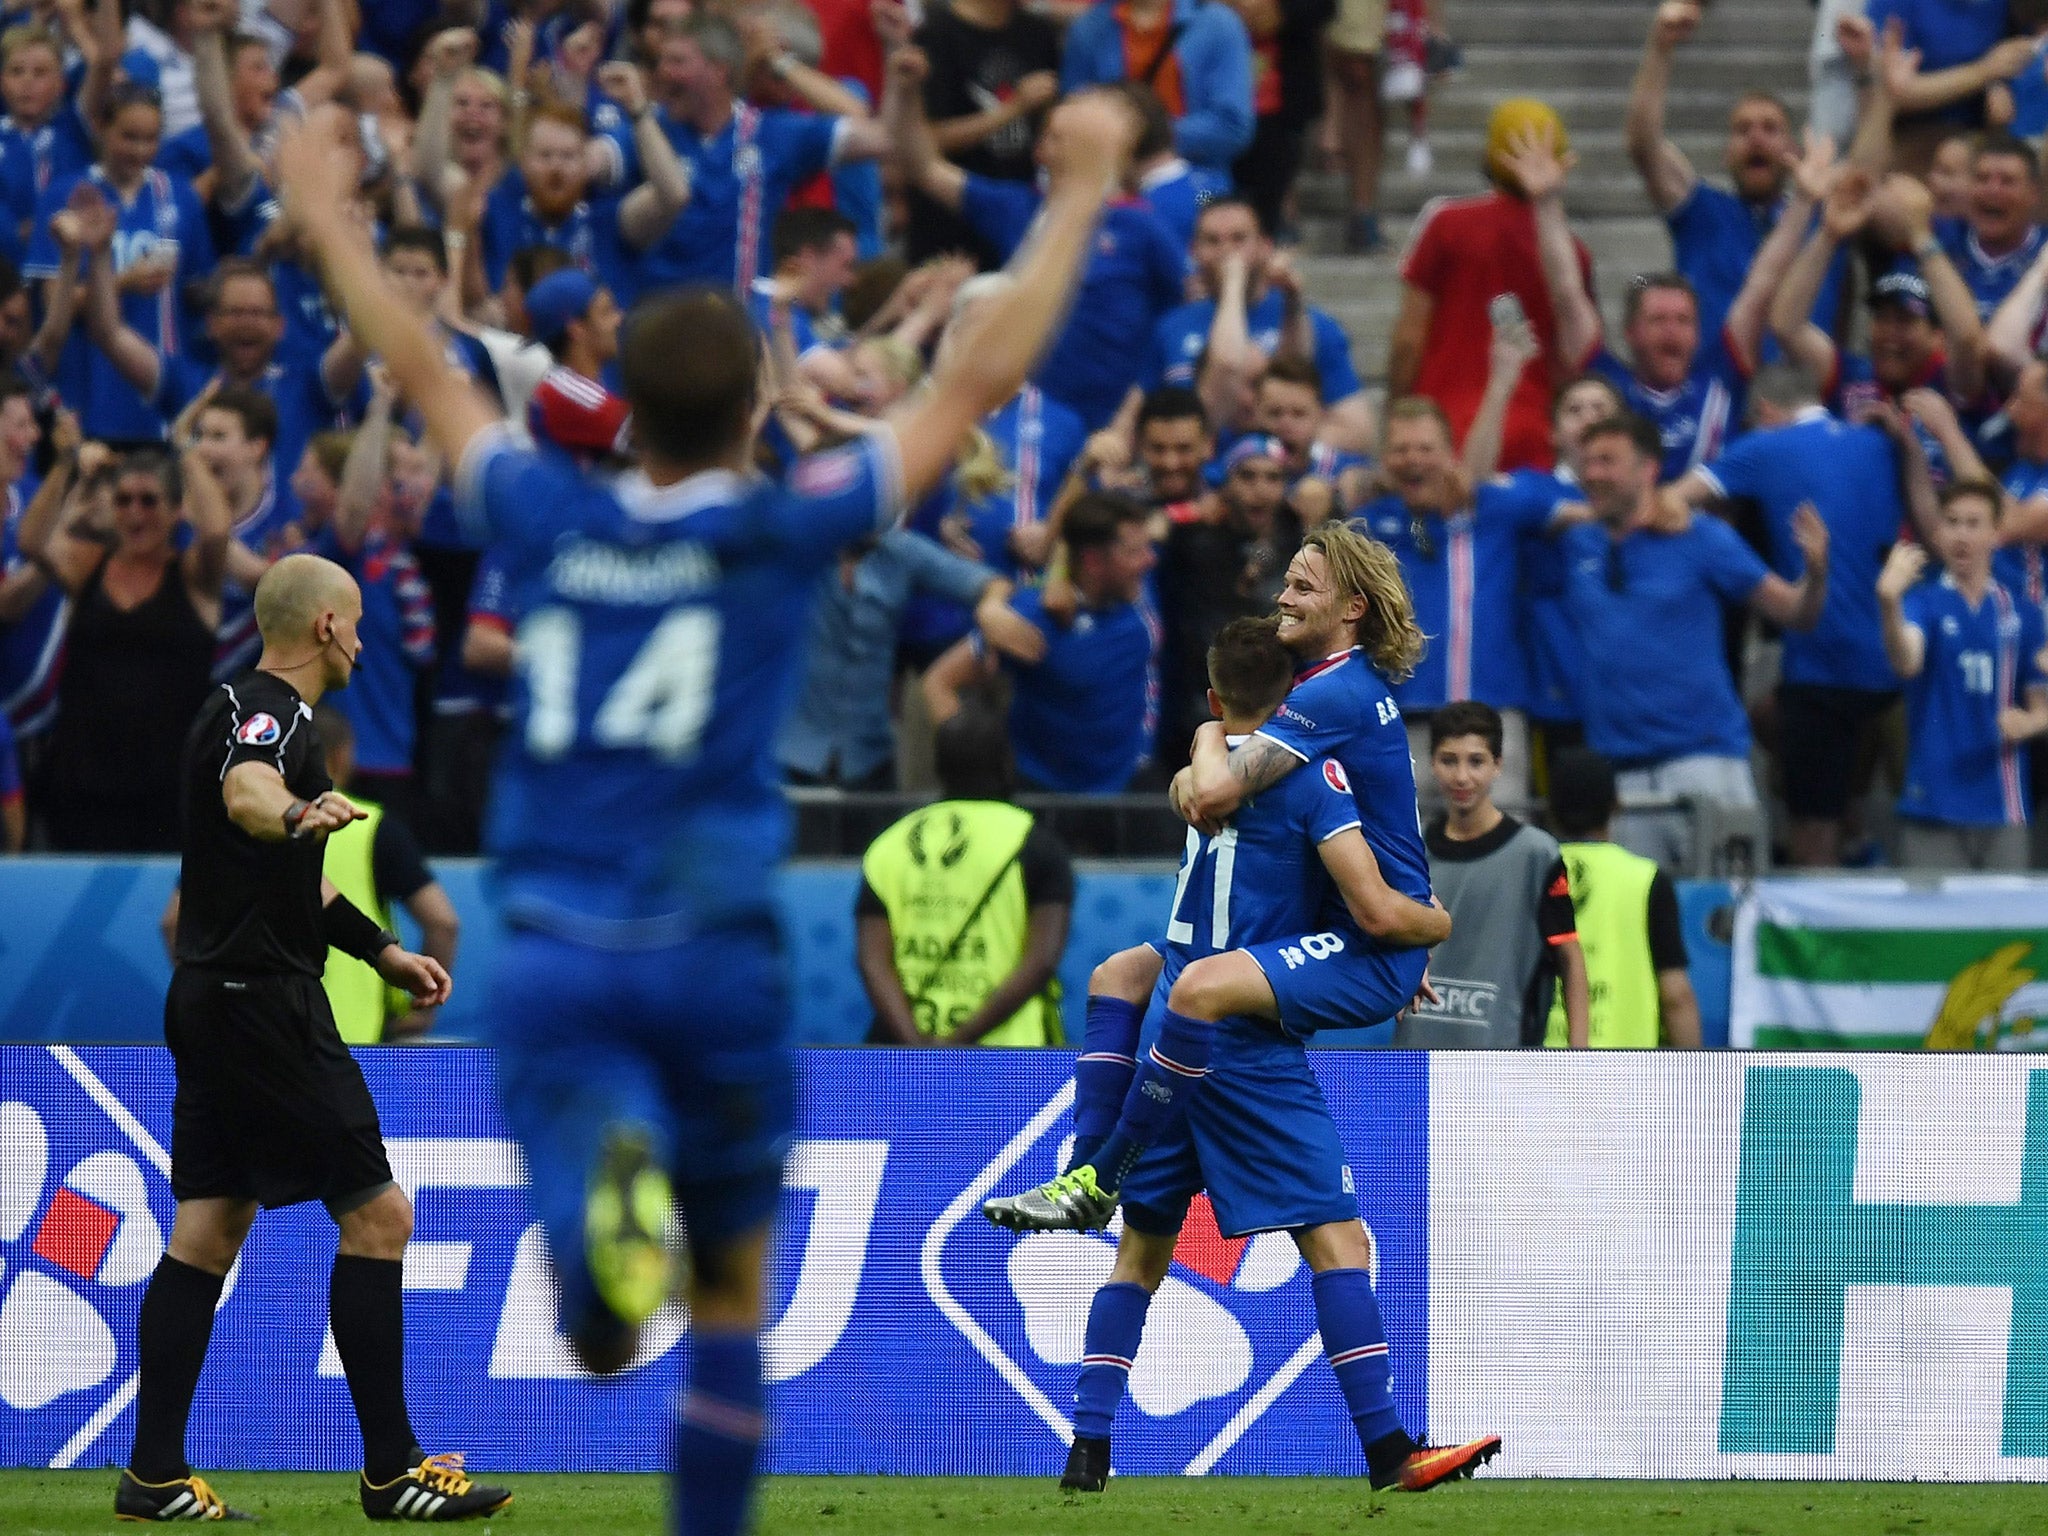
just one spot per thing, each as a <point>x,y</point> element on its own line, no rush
<point>83,955</point>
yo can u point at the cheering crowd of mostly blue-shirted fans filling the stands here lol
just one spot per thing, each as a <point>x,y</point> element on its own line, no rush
<point>1842,357</point>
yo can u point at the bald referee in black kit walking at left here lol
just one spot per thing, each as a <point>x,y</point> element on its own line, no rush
<point>271,1107</point>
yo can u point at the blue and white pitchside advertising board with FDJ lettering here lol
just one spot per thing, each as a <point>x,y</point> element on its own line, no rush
<point>1627,1265</point>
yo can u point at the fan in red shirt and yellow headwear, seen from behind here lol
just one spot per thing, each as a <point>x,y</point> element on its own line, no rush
<point>1467,251</point>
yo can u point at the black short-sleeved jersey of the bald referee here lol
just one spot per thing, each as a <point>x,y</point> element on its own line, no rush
<point>251,906</point>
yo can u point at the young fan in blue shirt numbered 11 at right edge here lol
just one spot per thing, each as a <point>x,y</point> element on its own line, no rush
<point>1971,654</point>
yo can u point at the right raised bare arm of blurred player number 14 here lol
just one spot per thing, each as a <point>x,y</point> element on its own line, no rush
<point>1086,148</point>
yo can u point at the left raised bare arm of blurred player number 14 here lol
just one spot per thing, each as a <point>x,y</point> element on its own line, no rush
<point>318,173</point>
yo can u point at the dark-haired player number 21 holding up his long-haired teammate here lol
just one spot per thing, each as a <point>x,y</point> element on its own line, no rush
<point>1258,1134</point>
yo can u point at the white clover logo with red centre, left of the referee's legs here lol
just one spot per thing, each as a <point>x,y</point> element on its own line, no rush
<point>85,1203</point>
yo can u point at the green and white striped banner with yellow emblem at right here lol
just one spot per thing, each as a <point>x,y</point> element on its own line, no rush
<point>1891,966</point>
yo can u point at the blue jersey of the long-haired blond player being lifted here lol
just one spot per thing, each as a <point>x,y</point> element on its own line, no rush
<point>1342,710</point>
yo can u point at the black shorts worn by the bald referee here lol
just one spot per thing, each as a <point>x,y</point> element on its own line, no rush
<point>271,1107</point>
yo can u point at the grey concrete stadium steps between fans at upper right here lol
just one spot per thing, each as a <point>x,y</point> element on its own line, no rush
<point>1578,56</point>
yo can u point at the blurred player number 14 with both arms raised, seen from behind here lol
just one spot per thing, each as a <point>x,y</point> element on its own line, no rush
<point>642,1007</point>
